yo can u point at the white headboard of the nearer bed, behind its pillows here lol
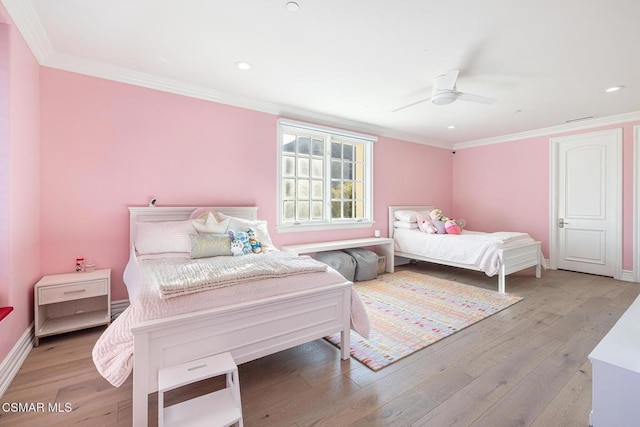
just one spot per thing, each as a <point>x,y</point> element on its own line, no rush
<point>181,213</point>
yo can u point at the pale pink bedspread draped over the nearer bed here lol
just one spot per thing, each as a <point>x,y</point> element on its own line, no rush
<point>112,354</point>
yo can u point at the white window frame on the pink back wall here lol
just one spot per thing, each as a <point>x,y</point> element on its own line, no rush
<point>327,224</point>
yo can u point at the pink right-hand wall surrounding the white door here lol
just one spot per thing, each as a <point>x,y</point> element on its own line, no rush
<point>506,187</point>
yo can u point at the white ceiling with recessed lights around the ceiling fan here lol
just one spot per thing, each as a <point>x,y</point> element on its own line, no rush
<point>349,63</point>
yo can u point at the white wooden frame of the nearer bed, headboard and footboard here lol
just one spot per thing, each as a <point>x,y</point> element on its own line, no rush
<point>248,330</point>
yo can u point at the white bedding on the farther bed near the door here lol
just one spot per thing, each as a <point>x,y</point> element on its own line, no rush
<point>470,248</point>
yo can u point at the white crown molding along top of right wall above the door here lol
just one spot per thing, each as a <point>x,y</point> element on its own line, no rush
<point>568,127</point>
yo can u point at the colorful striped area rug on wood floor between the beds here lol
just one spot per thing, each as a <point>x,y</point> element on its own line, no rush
<point>409,311</point>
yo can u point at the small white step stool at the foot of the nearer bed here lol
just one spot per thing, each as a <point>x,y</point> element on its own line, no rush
<point>220,408</point>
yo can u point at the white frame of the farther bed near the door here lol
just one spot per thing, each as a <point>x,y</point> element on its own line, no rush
<point>511,259</point>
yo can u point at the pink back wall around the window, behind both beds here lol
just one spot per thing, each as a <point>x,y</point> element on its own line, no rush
<point>107,145</point>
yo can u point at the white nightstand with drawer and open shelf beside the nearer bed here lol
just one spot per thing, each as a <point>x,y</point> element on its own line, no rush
<point>72,301</point>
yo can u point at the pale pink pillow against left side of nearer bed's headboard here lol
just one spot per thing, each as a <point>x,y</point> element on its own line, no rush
<point>163,237</point>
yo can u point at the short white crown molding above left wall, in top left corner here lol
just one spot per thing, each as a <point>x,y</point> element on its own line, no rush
<point>27,21</point>
